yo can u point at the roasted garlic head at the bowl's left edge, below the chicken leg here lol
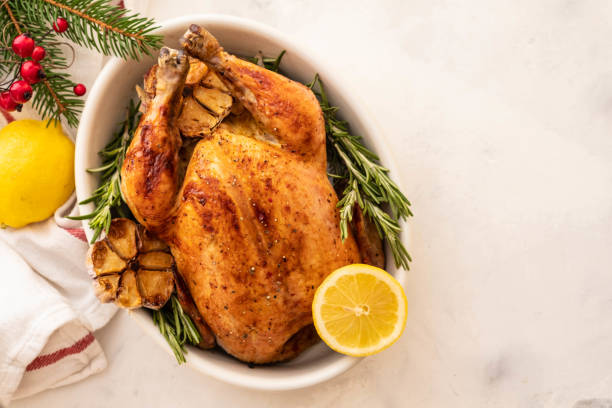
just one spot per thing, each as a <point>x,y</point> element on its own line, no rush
<point>131,267</point>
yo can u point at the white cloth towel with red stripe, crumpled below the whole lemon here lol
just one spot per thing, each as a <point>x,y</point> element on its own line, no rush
<point>47,311</point>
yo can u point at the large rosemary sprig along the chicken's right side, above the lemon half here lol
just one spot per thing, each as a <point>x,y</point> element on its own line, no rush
<point>367,182</point>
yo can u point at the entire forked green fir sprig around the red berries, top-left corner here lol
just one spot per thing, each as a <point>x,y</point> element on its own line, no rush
<point>97,24</point>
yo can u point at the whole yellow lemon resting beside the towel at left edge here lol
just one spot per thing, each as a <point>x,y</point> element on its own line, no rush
<point>36,171</point>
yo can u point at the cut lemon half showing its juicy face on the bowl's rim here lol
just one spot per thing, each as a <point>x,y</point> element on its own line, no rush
<point>359,310</point>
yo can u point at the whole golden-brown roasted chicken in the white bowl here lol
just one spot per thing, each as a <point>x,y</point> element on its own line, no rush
<point>252,225</point>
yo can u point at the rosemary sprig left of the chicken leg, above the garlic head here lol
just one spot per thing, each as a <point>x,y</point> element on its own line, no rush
<point>107,197</point>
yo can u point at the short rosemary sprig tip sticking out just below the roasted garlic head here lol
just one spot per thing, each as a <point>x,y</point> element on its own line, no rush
<point>176,327</point>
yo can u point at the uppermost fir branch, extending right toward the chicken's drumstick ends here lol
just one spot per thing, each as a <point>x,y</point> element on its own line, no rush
<point>99,25</point>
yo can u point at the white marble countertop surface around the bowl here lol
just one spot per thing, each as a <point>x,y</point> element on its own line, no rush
<point>500,117</point>
